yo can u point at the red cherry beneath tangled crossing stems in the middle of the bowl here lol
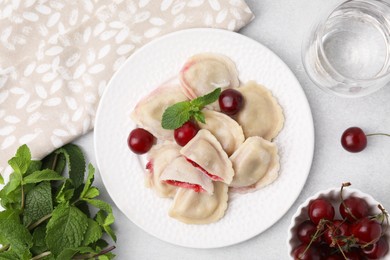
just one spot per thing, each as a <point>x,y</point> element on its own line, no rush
<point>336,232</point>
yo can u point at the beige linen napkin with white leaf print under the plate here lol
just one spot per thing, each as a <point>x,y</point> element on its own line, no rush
<point>57,56</point>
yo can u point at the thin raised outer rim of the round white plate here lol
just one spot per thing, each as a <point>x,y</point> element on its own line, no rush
<point>310,154</point>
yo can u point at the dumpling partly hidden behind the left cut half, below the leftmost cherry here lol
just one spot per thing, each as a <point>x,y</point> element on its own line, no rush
<point>159,157</point>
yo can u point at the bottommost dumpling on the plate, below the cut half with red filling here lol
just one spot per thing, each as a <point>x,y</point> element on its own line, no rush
<point>200,208</point>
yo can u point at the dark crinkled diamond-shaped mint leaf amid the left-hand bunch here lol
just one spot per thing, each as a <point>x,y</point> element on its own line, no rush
<point>38,203</point>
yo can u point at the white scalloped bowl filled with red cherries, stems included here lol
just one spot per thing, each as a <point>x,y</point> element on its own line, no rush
<point>339,223</point>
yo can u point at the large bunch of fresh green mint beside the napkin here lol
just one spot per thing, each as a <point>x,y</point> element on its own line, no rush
<point>47,215</point>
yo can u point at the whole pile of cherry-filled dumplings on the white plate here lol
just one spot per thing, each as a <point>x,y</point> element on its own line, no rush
<point>228,154</point>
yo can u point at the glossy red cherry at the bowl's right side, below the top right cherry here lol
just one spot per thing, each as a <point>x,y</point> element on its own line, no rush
<point>366,230</point>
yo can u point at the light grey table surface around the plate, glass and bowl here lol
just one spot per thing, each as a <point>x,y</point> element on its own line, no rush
<point>281,25</point>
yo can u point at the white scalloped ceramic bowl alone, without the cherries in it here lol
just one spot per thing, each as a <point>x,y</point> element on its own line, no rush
<point>333,196</point>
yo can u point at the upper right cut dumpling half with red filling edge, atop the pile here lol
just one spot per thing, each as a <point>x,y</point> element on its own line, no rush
<point>206,153</point>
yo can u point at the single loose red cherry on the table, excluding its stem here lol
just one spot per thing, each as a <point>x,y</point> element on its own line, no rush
<point>354,140</point>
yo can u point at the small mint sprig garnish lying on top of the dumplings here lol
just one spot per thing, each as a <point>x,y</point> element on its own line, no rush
<point>176,115</point>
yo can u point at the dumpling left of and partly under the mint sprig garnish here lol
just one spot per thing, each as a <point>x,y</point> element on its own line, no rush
<point>149,110</point>
